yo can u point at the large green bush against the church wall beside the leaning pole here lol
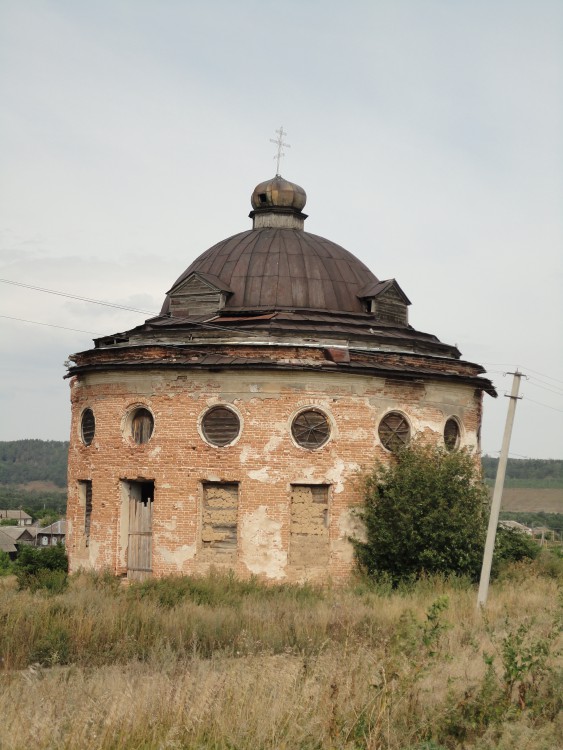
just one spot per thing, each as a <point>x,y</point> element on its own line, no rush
<point>425,513</point>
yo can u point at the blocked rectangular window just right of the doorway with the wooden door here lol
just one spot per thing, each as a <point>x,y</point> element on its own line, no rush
<point>220,516</point>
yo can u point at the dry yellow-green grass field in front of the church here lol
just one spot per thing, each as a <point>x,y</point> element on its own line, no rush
<point>215,663</point>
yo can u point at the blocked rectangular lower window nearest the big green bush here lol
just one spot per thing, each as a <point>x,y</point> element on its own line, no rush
<point>309,527</point>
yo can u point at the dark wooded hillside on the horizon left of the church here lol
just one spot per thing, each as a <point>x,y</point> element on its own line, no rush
<point>23,461</point>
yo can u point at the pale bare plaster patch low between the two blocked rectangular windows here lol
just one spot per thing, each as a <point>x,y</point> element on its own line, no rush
<point>261,544</point>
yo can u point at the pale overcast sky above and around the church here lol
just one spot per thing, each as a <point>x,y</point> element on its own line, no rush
<point>427,134</point>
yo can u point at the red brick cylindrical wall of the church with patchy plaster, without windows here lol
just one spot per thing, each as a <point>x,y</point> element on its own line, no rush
<point>264,461</point>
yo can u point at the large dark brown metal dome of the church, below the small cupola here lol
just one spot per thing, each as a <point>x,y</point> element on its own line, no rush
<point>273,268</point>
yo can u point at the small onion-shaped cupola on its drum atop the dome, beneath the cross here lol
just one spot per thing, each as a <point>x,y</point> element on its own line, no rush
<point>278,203</point>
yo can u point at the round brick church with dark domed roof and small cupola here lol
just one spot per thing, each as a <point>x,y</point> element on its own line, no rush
<point>231,430</point>
